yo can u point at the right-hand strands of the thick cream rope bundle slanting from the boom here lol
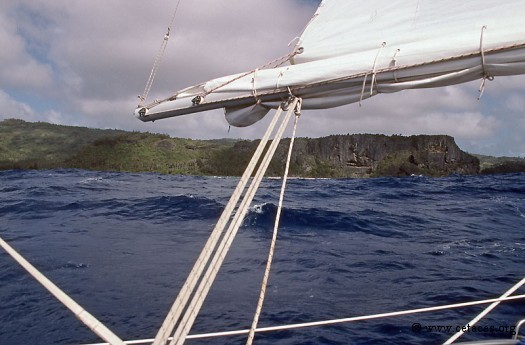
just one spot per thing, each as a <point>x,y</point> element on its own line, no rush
<point>189,317</point>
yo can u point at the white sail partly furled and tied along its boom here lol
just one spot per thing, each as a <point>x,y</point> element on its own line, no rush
<point>352,50</point>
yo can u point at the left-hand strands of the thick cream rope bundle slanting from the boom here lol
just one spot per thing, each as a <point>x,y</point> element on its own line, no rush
<point>204,257</point>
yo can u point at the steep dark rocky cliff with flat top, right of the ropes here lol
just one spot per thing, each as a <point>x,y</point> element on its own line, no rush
<point>363,155</point>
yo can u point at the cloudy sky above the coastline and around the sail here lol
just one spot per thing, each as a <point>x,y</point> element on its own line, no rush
<point>85,62</point>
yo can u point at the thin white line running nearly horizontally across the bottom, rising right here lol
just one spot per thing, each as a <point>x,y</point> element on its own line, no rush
<point>338,321</point>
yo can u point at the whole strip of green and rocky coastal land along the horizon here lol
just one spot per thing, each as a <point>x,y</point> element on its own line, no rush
<point>26,145</point>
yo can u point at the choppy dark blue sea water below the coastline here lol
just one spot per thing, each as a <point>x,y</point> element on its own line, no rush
<point>122,245</point>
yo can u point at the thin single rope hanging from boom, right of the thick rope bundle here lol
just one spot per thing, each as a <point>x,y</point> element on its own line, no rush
<point>266,276</point>
